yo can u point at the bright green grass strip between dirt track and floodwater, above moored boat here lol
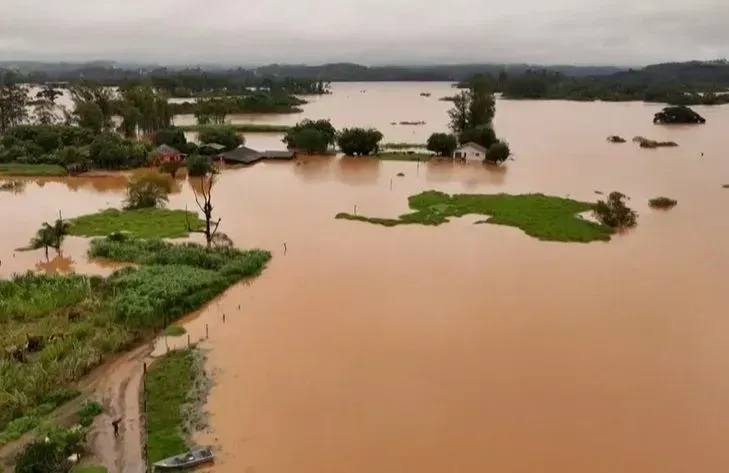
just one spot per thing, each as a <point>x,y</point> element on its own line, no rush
<point>169,382</point>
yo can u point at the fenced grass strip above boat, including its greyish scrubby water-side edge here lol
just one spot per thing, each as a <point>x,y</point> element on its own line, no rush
<point>176,388</point>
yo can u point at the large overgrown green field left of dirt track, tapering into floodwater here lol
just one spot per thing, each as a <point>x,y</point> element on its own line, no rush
<point>54,329</point>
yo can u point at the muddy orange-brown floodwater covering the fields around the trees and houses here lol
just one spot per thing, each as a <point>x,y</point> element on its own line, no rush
<point>461,347</point>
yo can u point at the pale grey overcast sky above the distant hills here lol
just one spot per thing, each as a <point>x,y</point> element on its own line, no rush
<point>245,32</point>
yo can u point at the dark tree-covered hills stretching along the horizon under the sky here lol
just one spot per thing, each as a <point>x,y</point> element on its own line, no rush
<point>686,83</point>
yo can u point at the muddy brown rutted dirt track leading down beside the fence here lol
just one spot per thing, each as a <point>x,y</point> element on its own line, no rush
<point>117,385</point>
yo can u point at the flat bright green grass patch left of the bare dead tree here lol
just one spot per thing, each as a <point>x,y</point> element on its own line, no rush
<point>142,223</point>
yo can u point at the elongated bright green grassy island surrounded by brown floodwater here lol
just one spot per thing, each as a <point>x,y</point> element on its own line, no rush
<point>543,217</point>
